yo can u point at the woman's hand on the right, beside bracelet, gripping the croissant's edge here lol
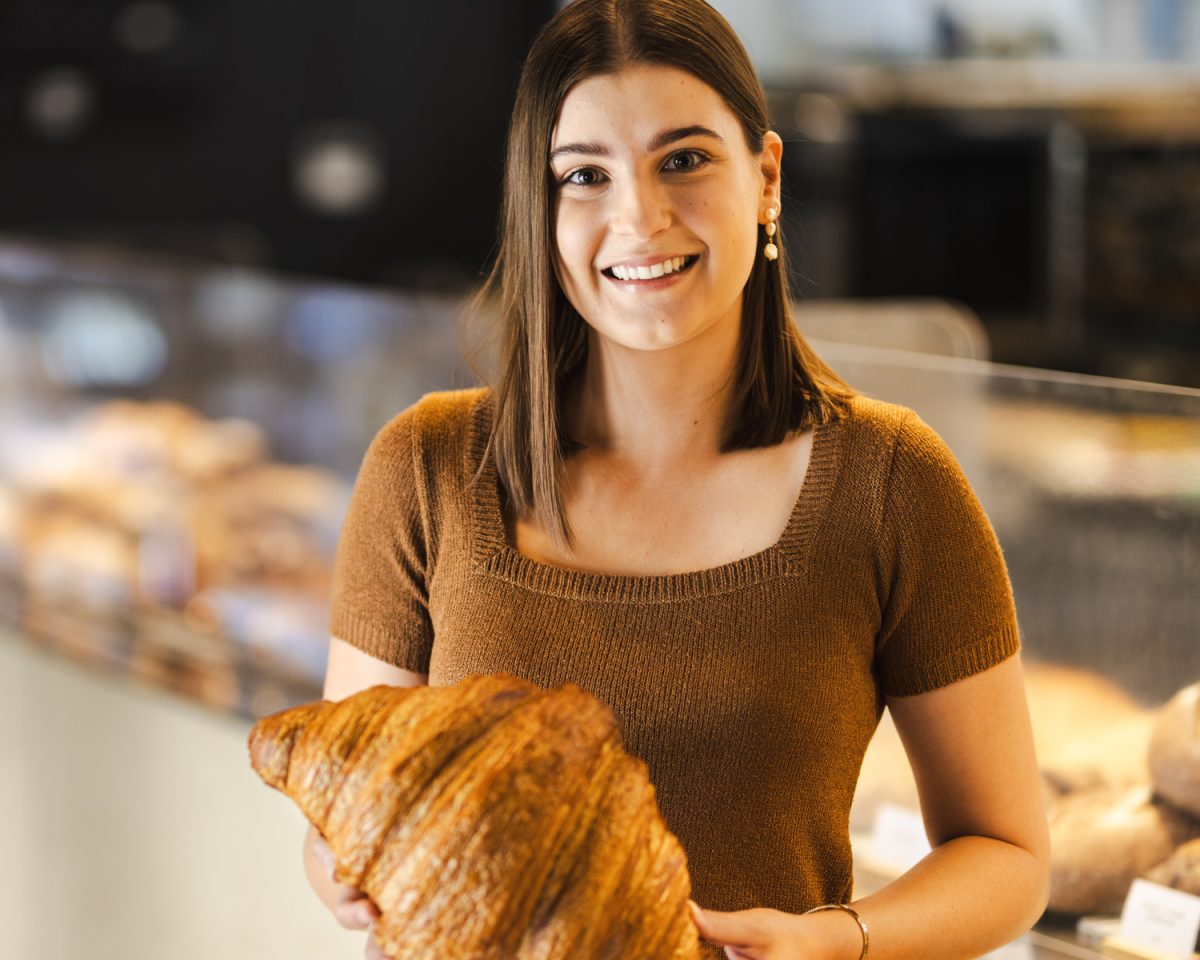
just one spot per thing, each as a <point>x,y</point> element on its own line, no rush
<point>773,935</point>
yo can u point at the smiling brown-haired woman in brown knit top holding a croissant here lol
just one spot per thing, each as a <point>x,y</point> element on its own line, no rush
<point>673,502</point>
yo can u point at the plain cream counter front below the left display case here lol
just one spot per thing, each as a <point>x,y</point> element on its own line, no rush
<point>135,827</point>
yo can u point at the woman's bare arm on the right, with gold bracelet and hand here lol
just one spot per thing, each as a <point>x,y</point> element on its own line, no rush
<point>985,884</point>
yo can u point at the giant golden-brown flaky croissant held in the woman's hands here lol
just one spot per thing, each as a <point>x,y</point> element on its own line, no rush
<point>489,820</point>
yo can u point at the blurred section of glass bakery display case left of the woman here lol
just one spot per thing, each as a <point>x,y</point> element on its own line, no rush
<point>177,451</point>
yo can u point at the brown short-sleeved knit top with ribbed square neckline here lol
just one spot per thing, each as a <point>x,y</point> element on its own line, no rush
<point>751,689</point>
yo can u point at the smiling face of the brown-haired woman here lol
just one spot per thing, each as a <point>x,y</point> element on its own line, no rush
<point>658,206</point>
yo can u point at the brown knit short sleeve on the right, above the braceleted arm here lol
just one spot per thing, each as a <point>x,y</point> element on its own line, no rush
<point>949,611</point>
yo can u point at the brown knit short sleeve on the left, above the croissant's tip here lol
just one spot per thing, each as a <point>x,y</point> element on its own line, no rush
<point>380,596</point>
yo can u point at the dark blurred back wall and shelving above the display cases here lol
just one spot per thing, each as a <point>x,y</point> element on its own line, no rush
<point>1035,161</point>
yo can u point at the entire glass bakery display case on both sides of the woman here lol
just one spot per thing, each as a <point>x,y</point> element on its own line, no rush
<point>178,445</point>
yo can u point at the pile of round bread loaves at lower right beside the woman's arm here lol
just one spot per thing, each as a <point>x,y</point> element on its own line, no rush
<point>1121,796</point>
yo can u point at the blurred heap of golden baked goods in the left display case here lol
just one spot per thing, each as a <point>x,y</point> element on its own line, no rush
<point>121,525</point>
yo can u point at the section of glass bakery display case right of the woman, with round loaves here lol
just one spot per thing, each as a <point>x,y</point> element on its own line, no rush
<point>1094,489</point>
